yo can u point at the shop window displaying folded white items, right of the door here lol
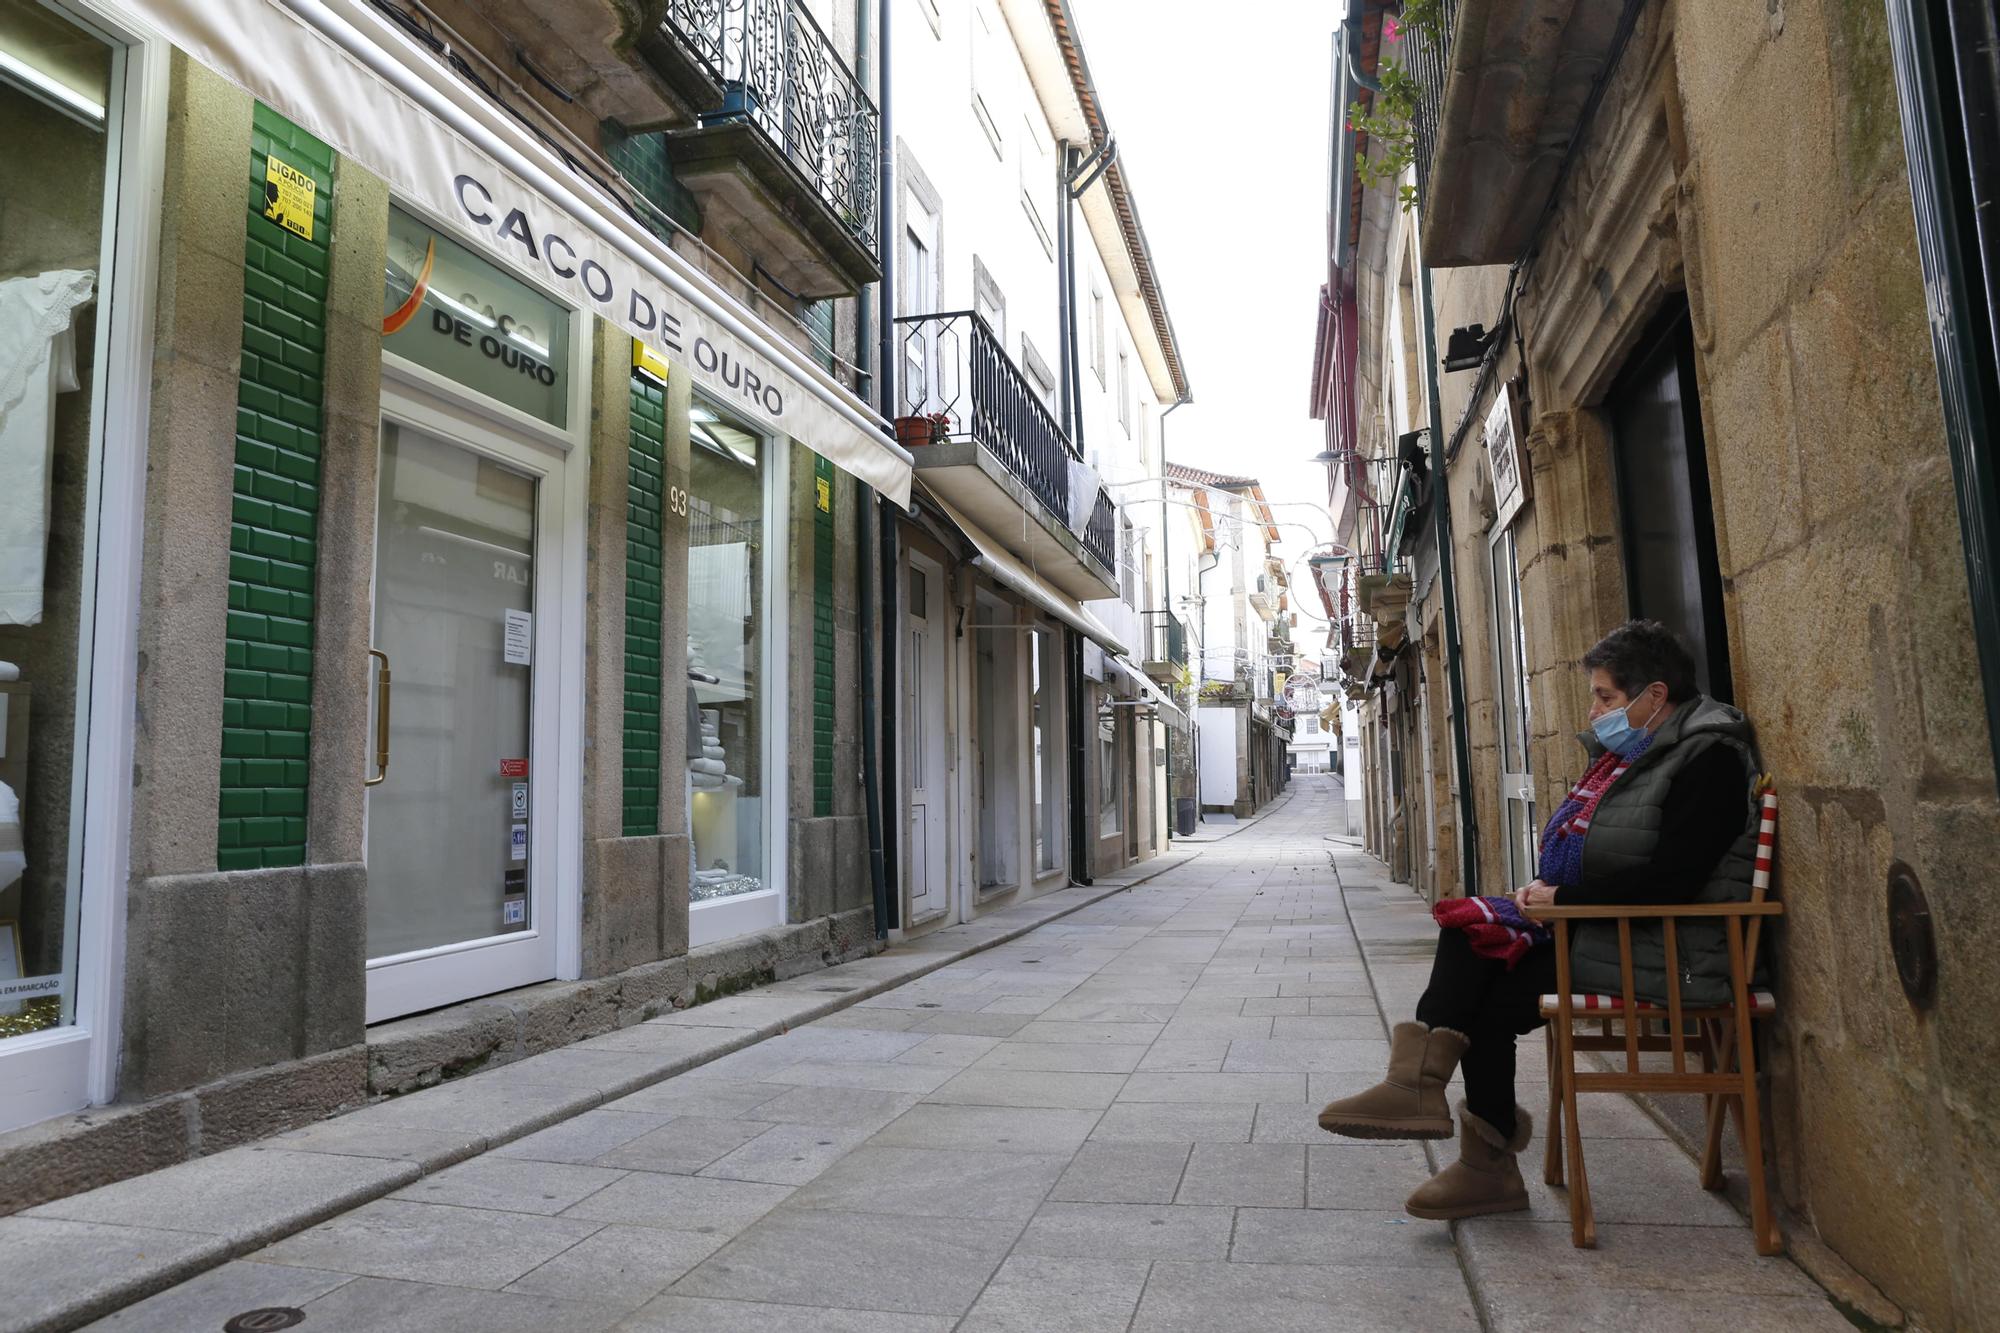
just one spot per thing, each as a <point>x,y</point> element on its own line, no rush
<point>727,782</point>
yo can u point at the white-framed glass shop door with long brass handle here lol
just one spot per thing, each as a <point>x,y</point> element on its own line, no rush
<point>463,802</point>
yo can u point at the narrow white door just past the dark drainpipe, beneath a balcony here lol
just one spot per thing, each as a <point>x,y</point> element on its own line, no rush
<point>927,760</point>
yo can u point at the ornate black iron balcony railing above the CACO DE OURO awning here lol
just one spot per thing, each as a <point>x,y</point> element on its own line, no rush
<point>783,75</point>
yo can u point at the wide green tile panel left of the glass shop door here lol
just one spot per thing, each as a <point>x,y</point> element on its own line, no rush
<point>267,690</point>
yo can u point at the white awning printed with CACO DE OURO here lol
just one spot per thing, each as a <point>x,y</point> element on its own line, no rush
<point>343,73</point>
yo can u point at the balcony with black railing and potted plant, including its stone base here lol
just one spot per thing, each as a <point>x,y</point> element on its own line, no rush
<point>979,427</point>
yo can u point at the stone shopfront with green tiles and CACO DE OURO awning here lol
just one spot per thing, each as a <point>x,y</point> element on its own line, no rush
<point>467,463</point>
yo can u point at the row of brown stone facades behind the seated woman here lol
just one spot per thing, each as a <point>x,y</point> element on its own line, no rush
<point>1687,235</point>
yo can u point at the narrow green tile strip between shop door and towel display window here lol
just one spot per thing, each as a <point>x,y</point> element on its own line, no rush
<point>645,471</point>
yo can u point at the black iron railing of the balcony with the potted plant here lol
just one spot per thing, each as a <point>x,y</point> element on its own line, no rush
<point>961,385</point>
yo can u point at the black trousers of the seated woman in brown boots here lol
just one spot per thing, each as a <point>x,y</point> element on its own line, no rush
<point>1493,1006</point>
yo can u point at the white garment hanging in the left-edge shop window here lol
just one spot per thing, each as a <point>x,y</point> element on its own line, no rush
<point>37,363</point>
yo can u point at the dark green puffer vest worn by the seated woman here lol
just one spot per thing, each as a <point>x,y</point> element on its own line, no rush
<point>1625,834</point>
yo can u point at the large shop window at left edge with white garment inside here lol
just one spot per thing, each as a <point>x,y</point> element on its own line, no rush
<point>59,99</point>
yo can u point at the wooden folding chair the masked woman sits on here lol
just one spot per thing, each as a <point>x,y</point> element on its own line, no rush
<point>1629,1024</point>
